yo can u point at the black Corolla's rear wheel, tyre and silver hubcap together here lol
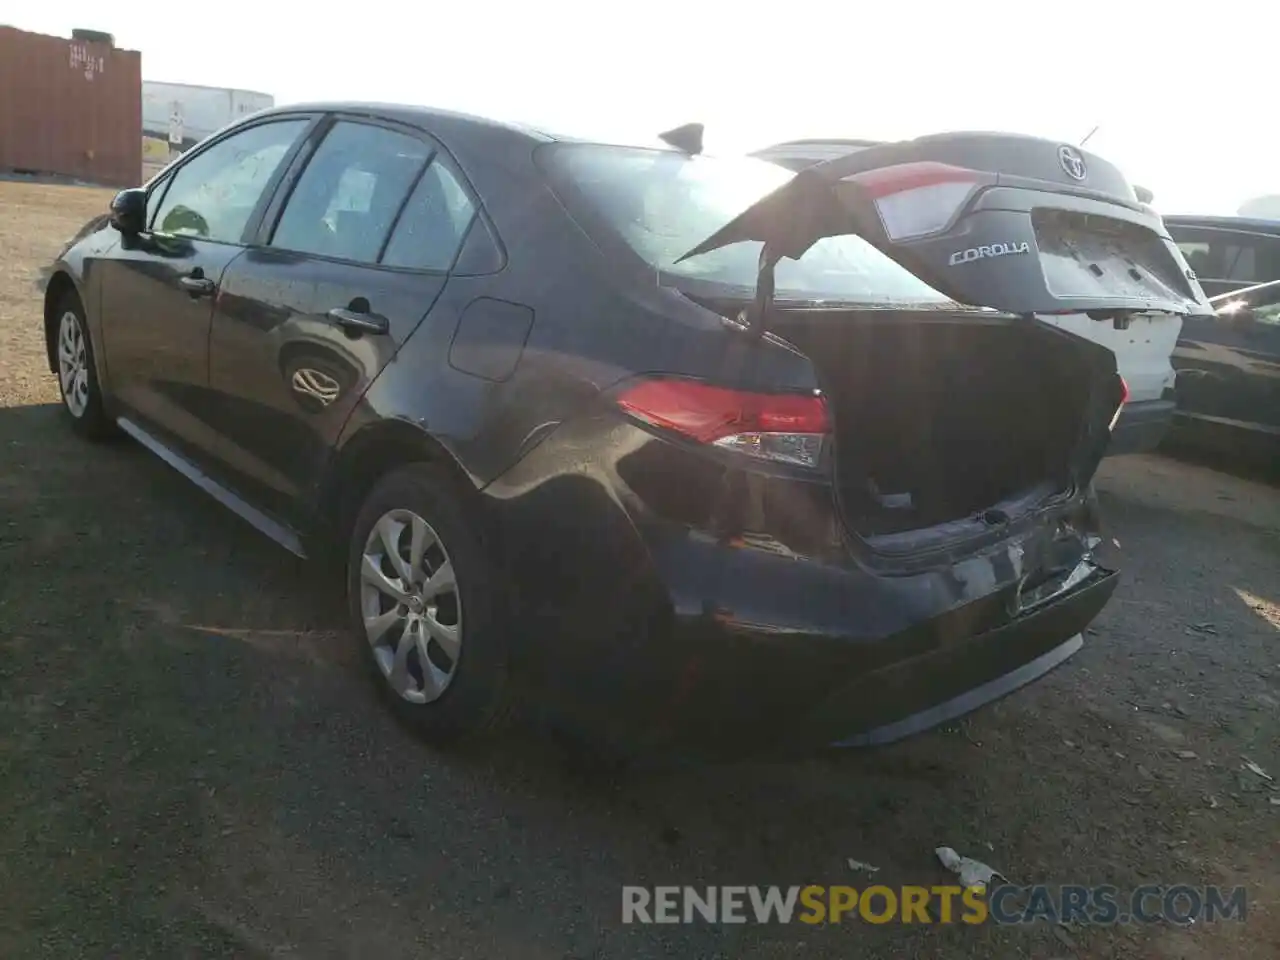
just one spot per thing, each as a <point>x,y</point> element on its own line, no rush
<point>426,605</point>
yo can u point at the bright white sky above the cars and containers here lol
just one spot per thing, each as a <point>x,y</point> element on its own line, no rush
<point>1156,79</point>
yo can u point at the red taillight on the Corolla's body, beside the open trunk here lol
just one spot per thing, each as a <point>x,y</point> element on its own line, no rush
<point>787,428</point>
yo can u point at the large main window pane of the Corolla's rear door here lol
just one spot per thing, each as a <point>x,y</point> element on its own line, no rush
<point>350,193</point>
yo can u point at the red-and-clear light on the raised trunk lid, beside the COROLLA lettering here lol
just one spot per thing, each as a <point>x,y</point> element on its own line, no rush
<point>916,200</point>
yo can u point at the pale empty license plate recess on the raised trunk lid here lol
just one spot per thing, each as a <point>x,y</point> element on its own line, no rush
<point>1087,257</point>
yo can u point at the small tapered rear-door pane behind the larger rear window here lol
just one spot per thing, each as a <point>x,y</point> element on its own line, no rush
<point>435,222</point>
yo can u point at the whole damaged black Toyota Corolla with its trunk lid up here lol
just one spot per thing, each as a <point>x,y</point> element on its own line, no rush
<point>692,452</point>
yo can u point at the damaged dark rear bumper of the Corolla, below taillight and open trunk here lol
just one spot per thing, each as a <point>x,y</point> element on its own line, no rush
<point>764,629</point>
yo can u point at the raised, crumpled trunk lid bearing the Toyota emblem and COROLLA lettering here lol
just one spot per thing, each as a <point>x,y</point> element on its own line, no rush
<point>1020,225</point>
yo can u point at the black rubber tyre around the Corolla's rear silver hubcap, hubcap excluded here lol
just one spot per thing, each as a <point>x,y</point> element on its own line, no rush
<point>476,698</point>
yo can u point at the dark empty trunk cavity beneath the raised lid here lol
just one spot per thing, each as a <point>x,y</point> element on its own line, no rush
<point>949,426</point>
